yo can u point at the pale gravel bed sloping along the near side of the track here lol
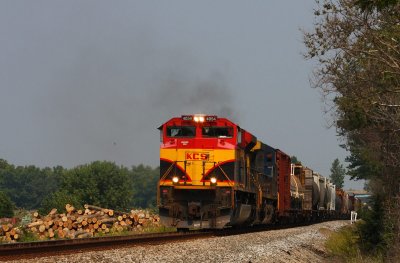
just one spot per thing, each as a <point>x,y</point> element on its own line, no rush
<point>301,244</point>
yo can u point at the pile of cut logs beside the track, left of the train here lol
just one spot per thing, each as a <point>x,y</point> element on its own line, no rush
<point>88,222</point>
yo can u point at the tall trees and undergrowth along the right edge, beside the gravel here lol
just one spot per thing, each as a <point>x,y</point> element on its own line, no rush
<point>356,44</point>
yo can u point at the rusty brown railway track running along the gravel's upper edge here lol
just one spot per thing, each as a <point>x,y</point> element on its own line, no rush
<point>16,251</point>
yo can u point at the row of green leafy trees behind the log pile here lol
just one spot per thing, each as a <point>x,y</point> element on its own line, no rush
<point>99,183</point>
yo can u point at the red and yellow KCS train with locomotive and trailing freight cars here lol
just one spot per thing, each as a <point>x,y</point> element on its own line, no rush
<point>215,174</point>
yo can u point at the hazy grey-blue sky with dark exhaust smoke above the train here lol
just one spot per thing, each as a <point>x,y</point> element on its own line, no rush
<point>92,80</point>
